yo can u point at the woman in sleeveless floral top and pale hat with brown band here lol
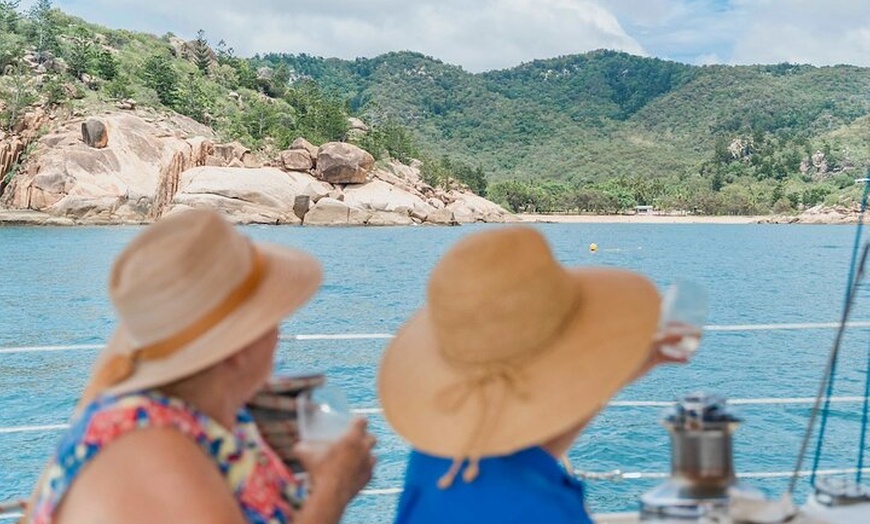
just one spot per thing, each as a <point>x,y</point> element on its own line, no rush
<point>161,434</point>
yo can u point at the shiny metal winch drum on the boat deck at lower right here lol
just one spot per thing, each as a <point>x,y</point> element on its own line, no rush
<point>702,471</point>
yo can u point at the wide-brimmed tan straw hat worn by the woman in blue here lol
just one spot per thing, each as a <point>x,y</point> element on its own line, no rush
<point>512,348</point>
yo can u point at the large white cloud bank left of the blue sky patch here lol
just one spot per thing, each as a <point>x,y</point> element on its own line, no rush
<point>481,35</point>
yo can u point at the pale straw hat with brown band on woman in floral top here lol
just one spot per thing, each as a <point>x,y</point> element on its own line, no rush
<point>190,291</point>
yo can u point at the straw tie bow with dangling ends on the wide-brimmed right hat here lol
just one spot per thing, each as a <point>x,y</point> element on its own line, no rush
<point>504,378</point>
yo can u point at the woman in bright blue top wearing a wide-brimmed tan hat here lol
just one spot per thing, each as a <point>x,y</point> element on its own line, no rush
<point>493,379</point>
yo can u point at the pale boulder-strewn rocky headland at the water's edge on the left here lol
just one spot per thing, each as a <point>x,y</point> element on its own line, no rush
<point>132,167</point>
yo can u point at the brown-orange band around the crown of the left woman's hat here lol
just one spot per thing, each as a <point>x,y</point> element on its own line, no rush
<point>121,366</point>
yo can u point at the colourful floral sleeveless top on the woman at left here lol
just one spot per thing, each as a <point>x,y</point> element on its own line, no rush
<point>265,490</point>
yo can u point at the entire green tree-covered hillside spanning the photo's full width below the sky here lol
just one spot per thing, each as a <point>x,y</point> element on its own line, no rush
<point>598,132</point>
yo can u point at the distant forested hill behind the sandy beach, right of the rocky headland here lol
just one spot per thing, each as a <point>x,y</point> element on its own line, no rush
<point>607,130</point>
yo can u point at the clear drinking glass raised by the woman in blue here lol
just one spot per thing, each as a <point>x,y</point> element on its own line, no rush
<point>685,306</point>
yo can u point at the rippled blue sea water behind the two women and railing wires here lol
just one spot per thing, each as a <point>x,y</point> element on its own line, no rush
<point>53,293</point>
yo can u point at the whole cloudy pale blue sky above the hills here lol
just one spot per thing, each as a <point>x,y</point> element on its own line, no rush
<point>482,35</point>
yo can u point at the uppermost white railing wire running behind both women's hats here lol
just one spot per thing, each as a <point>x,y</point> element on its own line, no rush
<point>386,336</point>
